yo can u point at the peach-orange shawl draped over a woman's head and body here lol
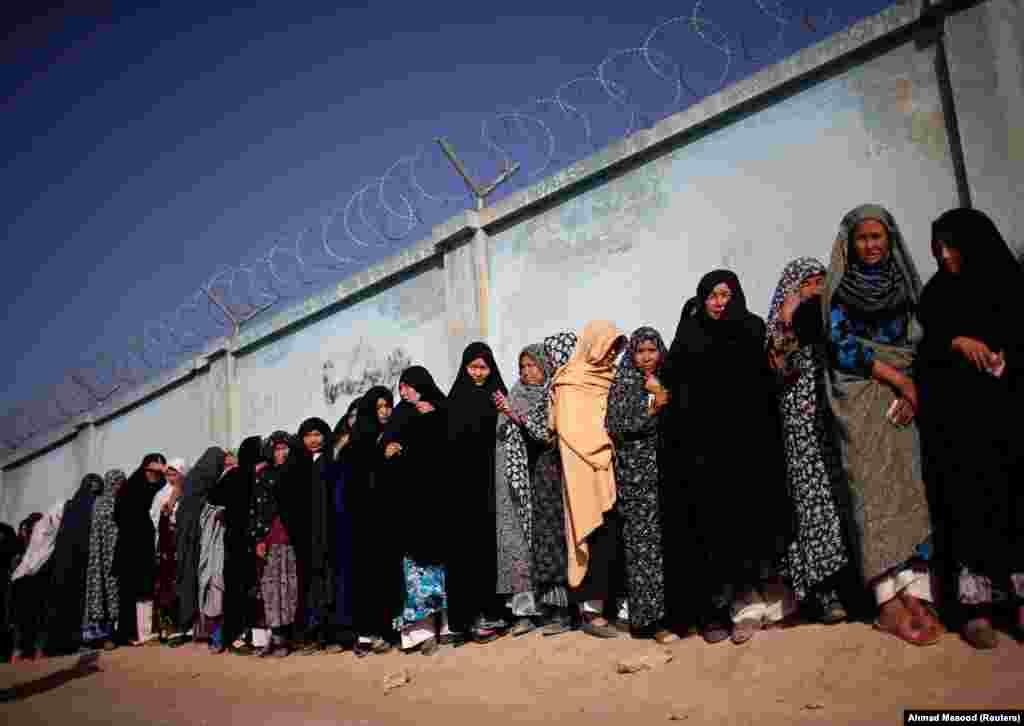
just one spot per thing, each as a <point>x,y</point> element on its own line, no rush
<point>580,399</point>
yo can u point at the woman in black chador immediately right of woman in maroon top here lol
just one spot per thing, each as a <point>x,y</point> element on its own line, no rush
<point>310,503</point>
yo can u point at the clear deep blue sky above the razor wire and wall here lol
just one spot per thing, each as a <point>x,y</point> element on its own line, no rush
<point>145,148</point>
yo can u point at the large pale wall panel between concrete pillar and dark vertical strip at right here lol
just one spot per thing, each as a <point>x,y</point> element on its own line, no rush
<point>750,198</point>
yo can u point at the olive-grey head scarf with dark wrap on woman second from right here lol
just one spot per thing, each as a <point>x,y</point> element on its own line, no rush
<point>887,288</point>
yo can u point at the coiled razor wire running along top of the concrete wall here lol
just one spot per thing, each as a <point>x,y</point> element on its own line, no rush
<point>383,213</point>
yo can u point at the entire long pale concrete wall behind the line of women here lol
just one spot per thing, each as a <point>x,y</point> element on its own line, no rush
<point>747,180</point>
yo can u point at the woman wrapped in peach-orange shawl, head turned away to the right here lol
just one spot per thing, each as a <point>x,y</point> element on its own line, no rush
<point>580,401</point>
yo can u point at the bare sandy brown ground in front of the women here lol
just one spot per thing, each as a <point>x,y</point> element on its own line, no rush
<point>812,674</point>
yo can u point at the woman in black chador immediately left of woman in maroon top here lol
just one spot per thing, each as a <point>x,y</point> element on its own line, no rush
<point>234,493</point>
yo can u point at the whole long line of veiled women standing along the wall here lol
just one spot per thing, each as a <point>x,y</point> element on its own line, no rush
<point>852,456</point>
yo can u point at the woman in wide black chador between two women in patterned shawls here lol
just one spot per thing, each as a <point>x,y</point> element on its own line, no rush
<point>726,465</point>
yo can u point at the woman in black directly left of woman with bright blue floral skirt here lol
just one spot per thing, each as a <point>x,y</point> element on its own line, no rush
<point>374,573</point>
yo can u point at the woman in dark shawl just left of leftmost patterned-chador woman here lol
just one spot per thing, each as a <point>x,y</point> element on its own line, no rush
<point>71,562</point>
